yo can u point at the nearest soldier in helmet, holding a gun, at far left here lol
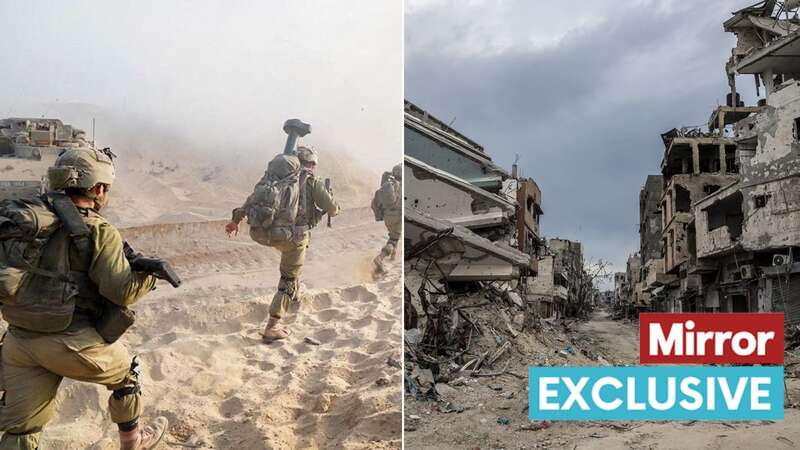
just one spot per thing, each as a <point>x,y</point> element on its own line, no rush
<point>35,358</point>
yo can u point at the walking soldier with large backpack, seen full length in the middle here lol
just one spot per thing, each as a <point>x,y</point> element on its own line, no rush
<point>289,231</point>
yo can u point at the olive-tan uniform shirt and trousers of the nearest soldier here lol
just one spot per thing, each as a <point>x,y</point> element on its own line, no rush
<point>33,364</point>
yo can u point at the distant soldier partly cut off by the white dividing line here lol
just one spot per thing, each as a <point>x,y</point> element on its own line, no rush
<point>387,205</point>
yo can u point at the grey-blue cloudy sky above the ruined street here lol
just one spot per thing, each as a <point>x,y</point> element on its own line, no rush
<point>580,90</point>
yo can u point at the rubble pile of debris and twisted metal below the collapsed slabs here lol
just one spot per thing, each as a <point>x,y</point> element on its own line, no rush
<point>480,335</point>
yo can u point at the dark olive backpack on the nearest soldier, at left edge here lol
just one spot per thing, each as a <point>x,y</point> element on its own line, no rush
<point>38,289</point>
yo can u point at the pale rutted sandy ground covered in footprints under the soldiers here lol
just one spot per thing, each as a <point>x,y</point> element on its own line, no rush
<point>206,369</point>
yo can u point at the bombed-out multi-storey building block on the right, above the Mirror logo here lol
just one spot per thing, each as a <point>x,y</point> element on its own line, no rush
<point>730,206</point>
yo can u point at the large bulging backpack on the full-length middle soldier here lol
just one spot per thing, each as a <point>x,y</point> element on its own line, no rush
<point>273,211</point>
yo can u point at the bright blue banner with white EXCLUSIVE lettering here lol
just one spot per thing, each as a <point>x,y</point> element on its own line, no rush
<point>656,393</point>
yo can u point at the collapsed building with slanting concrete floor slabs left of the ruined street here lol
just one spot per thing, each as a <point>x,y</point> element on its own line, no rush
<point>456,206</point>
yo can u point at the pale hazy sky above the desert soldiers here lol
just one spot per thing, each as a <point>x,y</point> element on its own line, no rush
<point>224,70</point>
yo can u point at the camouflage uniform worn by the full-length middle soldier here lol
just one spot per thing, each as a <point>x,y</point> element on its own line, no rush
<point>315,201</point>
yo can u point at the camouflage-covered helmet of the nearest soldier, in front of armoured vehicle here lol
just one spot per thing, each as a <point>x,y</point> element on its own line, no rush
<point>81,167</point>
